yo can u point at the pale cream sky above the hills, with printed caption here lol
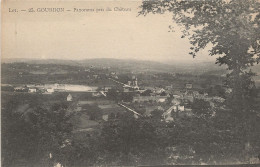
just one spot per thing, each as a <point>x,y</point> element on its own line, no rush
<point>84,35</point>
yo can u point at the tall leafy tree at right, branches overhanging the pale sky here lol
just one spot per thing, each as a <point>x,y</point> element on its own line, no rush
<point>232,27</point>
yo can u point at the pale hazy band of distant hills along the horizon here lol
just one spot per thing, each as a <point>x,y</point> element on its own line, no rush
<point>197,68</point>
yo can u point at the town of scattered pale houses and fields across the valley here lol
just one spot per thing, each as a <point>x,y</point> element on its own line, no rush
<point>113,90</point>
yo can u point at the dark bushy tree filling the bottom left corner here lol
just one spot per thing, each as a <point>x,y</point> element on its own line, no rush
<point>31,132</point>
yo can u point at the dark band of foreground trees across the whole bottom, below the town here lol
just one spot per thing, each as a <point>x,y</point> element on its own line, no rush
<point>37,135</point>
